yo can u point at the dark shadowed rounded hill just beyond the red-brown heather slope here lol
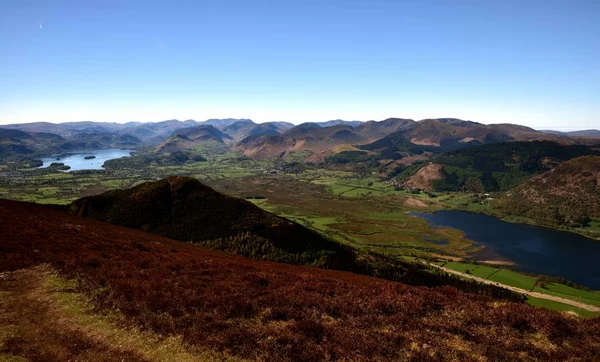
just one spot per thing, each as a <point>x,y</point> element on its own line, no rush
<point>184,209</point>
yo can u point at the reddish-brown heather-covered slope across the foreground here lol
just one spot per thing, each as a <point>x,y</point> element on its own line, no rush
<point>261,310</point>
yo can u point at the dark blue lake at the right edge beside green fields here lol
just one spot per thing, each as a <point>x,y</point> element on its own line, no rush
<point>534,249</point>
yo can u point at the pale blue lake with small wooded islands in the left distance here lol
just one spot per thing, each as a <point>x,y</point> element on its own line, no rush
<point>78,161</point>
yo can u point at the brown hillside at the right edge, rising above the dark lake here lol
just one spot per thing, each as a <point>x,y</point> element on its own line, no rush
<point>567,195</point>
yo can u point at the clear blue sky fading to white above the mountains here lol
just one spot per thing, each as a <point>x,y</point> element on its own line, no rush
<point>529,62</point>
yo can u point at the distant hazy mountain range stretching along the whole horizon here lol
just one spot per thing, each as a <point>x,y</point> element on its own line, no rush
<point>390,138</point>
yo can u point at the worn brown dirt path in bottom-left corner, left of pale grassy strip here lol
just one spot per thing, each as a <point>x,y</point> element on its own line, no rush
<point>34,328</point>
